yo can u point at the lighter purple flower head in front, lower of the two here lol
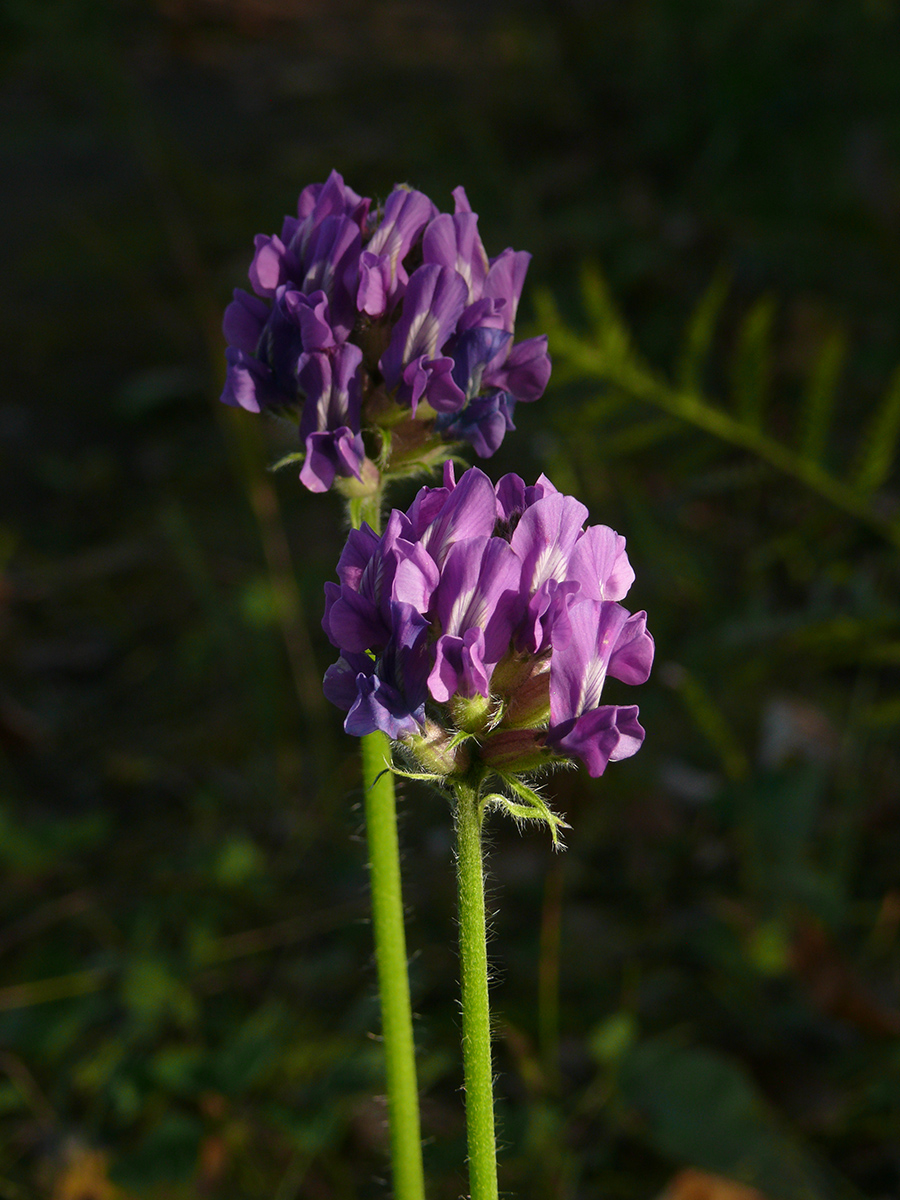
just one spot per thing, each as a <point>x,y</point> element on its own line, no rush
<point>489,611</point>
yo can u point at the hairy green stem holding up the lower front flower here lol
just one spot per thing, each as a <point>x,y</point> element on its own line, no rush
<point>476,1009</point>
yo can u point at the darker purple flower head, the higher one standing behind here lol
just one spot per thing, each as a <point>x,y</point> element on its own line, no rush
<point>393,320</point>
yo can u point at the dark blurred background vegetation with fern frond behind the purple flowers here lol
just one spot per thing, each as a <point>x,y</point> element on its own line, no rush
<point>709,979</point>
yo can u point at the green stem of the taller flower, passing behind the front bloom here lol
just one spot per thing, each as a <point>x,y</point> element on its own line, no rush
<point>391,944</point>
